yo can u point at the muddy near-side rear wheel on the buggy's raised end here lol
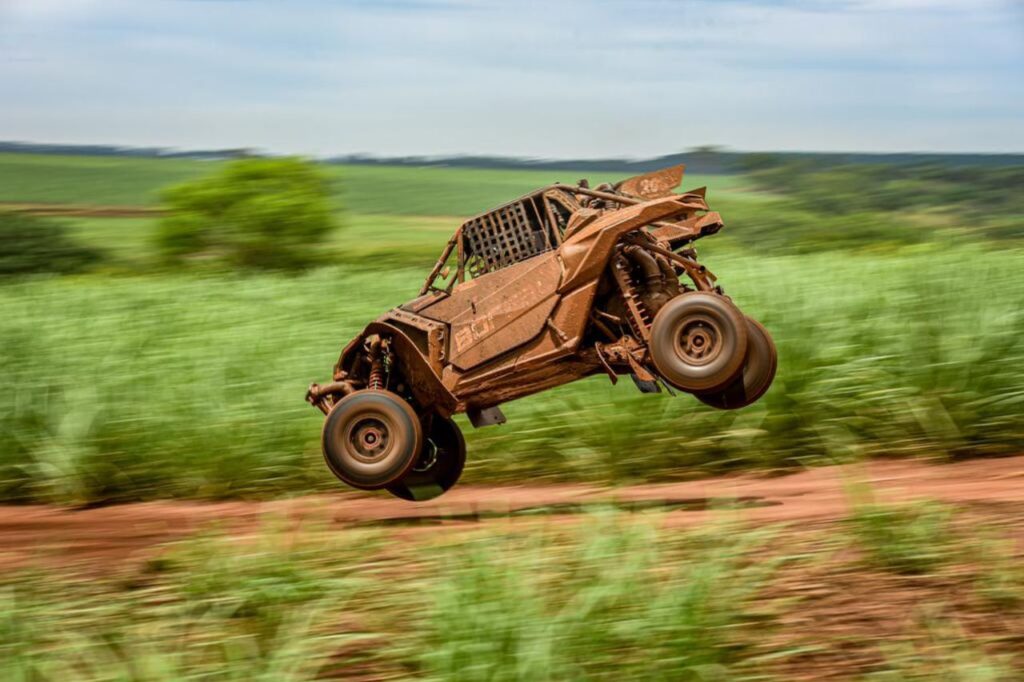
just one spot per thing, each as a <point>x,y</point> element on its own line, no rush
<point>699,342</point>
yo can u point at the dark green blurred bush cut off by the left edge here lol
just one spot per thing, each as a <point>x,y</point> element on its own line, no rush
<point>35,245</point>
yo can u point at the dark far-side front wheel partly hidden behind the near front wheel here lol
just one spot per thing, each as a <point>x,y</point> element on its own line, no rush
<point>439,467</point>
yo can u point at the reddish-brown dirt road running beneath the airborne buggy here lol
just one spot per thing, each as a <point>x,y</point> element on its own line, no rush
<point>112,536</point>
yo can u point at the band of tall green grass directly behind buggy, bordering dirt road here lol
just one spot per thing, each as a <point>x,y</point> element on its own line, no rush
<point>191,386</point>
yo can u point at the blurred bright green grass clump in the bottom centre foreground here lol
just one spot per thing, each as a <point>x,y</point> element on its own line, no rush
<point>613,604</point>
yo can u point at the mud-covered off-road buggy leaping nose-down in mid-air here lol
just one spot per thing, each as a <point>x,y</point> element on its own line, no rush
<point>564,283</point>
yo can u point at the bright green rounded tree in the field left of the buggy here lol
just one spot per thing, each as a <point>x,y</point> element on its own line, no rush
<point>254,212</point>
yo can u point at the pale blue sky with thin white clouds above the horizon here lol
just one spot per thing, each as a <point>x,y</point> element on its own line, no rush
<point>556,79</point>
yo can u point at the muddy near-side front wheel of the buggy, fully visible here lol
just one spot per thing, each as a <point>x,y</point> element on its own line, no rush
<point>371,439</point>
